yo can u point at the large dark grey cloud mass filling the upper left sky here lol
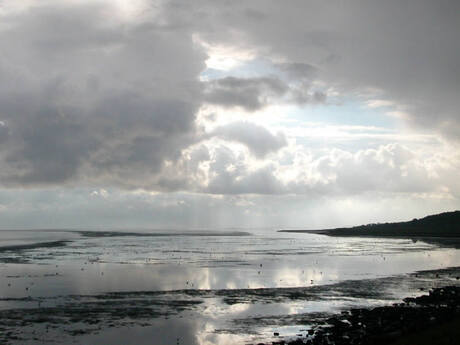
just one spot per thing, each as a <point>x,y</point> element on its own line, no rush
<point>86,98</point>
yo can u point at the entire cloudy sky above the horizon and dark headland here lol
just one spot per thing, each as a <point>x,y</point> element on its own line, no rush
<point>221,114</point>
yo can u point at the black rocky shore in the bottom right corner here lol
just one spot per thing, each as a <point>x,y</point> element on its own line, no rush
<point>437,314</point>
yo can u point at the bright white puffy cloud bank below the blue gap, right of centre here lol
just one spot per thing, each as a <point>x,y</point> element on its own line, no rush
<point>391,168</point>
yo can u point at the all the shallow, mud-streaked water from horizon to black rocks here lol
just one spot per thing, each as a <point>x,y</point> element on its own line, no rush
<point>215,287</point>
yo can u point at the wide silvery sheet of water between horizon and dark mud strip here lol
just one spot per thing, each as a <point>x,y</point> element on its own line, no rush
<point>99,264</point>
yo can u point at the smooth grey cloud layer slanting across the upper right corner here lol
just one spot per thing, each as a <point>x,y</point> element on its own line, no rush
<point>406,53</point>
